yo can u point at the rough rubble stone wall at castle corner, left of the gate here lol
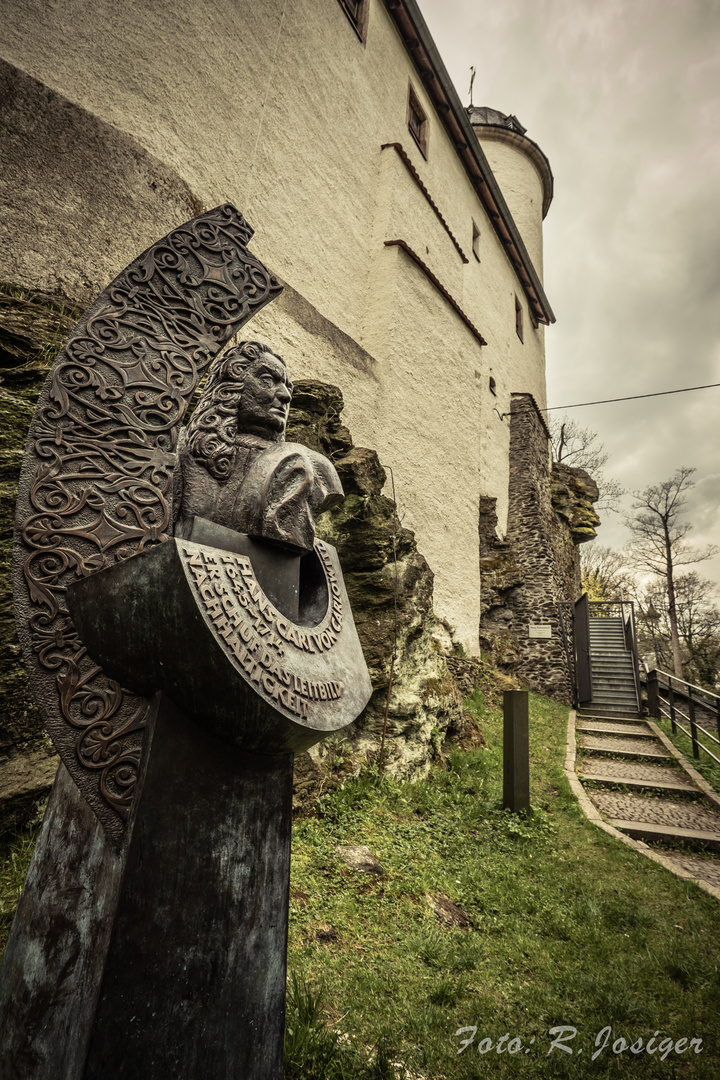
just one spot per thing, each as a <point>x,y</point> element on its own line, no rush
<point>536,569</point>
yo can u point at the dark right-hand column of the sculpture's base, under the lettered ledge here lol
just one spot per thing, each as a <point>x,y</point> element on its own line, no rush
<point>195,985</point>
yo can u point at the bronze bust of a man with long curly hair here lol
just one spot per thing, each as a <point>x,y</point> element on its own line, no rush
<point>235,467</point>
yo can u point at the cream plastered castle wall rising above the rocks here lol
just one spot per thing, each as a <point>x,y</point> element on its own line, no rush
<point>278,107</point>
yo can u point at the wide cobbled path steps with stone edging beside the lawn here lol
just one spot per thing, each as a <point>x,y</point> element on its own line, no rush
<point>645,788</point>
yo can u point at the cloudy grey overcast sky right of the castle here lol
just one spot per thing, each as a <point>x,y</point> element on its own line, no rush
<point>624,99</point>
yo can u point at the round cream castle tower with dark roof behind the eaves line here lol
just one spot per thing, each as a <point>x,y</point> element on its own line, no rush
<point>523,171</point>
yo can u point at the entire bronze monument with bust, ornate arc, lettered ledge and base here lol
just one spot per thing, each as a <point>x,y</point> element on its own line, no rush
<point>178,674</point>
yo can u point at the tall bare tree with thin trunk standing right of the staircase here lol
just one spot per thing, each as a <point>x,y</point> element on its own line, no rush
<point>659,545</point>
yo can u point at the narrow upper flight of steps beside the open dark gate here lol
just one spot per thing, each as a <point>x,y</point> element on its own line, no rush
<point>615,692</point>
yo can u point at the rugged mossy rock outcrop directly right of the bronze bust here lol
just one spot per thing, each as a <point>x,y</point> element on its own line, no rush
<point>390,586</point>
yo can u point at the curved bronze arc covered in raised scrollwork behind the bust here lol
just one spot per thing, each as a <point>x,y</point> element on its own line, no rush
<point>97,479</point>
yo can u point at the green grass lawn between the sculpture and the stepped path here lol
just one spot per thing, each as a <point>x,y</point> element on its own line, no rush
<point>569,930</point>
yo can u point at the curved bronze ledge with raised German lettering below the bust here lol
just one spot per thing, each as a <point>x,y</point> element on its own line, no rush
<point>236,663</point>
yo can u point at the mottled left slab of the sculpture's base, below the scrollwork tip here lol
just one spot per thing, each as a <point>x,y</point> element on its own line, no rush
<point>53,963</point>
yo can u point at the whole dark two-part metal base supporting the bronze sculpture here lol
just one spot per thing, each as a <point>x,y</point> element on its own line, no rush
<point>184,974</point>
